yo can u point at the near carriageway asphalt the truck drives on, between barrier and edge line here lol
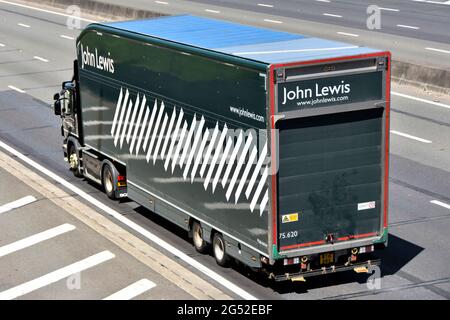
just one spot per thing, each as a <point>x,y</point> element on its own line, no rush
<point>418,253</point>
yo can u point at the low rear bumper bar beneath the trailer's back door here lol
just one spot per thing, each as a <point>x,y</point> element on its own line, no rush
<point>299,276</point>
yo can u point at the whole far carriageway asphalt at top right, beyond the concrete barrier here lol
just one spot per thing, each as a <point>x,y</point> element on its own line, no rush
<point>426,43</point>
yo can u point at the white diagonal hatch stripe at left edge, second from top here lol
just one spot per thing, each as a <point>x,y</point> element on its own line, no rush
<point>35,239</point>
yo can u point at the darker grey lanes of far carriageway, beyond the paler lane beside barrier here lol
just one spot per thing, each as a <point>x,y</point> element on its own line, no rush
<point>422,20</point>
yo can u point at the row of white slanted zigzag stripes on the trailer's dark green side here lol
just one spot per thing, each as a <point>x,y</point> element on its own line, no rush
<point>172,133</point>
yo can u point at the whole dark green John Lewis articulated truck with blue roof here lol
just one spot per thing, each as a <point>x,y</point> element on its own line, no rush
<point>269,148</point>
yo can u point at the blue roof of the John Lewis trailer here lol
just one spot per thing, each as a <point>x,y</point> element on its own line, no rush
<point>260,44</point>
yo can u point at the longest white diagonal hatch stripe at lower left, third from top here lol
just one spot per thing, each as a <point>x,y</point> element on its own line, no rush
<point>56,275</point>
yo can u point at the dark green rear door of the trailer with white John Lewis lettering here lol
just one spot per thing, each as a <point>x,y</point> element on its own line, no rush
<point>330,155</point>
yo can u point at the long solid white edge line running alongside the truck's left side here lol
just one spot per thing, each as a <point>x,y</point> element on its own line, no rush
<point>144,232</point>
